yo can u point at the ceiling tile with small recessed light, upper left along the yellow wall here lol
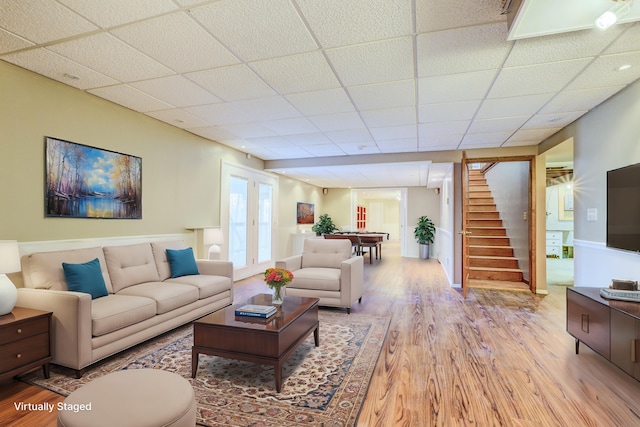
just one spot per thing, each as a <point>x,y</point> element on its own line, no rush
<point>54,66</point>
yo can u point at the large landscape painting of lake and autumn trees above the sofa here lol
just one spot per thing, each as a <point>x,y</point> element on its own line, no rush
<point>89,182</point>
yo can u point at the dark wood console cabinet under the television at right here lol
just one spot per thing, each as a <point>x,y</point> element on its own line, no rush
<point>610,328</point>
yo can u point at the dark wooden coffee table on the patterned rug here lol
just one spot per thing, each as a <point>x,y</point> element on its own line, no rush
<point>270,341</point>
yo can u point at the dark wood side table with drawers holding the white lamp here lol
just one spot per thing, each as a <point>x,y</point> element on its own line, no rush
<point>25,341</point>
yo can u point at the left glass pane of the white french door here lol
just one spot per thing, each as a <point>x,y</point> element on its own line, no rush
<point>238,221</point>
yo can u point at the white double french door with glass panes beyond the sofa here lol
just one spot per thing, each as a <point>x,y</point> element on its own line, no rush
<point>248,212</point>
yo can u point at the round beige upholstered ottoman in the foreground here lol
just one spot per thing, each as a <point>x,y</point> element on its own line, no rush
<point>136,398</point>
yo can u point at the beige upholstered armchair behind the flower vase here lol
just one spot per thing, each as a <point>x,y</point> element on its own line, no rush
<point>326,270</point>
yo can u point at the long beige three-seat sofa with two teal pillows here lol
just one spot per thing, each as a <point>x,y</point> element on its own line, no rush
<point>143,299</point>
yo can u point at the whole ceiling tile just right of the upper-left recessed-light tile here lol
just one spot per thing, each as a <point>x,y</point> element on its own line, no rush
<point>113,54</point>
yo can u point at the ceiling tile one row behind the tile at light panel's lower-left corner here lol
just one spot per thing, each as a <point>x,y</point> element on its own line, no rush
<point>455,87</point>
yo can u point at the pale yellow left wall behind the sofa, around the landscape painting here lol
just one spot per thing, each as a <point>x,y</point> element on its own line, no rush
<point>181,171</point>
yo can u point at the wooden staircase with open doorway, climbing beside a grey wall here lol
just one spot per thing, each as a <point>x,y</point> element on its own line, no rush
<point>490,254</point>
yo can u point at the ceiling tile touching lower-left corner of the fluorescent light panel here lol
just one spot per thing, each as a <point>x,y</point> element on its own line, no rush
<point>462,50</point>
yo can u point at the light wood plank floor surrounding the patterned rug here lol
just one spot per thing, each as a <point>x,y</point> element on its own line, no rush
<point>496,358</point>
